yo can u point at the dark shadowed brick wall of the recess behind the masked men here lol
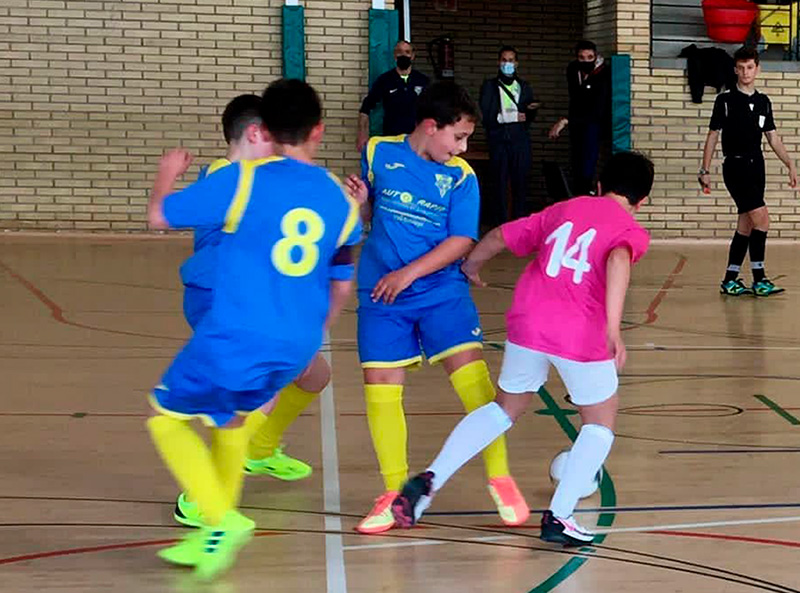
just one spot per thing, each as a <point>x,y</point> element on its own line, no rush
<point>544,32</point>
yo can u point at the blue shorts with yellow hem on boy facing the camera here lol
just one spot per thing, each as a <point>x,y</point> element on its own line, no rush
<point>391,337</point>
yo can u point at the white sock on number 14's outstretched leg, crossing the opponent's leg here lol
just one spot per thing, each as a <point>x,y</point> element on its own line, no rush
<point>473,434</point>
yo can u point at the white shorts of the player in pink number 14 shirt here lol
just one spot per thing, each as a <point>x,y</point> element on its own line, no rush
<point>588,383</point>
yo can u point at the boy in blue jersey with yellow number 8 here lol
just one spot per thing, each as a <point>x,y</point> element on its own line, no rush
<point>284,265</point>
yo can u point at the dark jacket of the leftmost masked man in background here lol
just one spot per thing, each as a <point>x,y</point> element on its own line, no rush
<point>399,98</point>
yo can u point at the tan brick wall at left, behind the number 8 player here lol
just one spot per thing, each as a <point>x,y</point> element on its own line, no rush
<point>91,92</point>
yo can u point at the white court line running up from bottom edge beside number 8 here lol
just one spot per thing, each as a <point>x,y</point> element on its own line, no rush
<point>334,548</point>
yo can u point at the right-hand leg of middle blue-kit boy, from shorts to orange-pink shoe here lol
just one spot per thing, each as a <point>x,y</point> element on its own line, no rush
<point>452,333</point>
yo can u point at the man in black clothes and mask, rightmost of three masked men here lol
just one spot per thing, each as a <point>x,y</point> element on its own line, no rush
<point>589,85</point>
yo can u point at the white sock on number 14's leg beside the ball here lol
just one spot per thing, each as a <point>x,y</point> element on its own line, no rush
<point>585,459</point>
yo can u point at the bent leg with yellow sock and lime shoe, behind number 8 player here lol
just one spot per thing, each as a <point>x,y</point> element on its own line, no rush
<point>265,455</point>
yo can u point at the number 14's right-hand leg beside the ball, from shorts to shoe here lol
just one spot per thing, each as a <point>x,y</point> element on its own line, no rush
<point>592,387</point>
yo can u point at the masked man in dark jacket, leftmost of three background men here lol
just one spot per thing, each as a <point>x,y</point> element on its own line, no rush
<point>397,90</point>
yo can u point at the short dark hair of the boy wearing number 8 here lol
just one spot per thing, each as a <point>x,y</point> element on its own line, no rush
<point>290,109</point>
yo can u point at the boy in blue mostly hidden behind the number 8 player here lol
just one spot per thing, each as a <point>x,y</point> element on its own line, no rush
<point>247,139</point>
